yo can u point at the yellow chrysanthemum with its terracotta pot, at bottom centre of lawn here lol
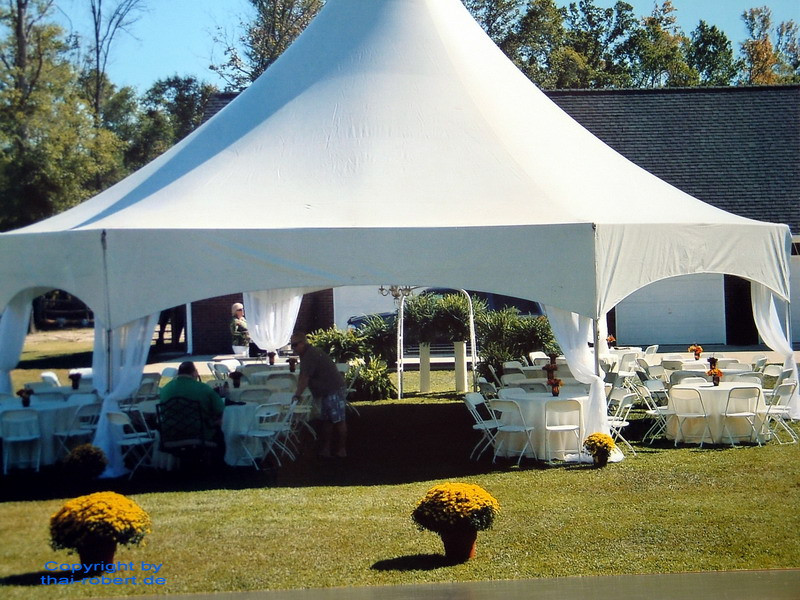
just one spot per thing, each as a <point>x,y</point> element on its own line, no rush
<point>457,511</point>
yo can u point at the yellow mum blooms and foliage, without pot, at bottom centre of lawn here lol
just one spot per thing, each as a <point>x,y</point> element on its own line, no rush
<point>452,506</point>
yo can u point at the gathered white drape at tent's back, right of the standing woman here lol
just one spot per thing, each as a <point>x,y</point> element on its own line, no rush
<point>271,315</point>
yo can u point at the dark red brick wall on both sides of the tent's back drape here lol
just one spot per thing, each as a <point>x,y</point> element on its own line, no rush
<point>211,320</point>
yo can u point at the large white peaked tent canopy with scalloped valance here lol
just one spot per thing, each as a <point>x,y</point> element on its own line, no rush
<point>392,142</point>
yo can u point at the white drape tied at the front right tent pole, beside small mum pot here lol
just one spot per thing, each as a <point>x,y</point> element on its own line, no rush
<point>573,333</point>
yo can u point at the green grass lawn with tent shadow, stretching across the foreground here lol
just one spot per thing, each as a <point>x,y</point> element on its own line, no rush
<point>319,524</point>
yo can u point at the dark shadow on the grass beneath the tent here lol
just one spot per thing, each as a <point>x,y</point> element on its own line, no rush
<point>389,443</point>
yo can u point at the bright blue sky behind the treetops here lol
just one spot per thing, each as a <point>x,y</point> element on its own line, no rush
<point>176,36</point>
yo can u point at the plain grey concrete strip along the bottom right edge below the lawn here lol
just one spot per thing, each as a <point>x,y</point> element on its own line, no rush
<point>730,585</point>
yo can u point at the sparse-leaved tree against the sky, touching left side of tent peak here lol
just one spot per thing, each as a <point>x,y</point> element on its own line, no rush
<point>276,24</point>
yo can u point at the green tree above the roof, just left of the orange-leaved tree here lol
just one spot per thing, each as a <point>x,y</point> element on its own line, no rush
<point>710,54</point>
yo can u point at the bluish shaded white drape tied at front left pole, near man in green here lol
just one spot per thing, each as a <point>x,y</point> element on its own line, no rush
<point>130,345</point>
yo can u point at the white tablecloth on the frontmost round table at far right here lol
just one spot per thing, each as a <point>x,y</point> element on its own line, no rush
<point>715,399</point>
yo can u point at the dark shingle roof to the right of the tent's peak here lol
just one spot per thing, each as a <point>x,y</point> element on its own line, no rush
<point>737,148</point>
